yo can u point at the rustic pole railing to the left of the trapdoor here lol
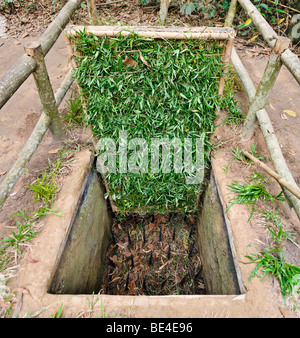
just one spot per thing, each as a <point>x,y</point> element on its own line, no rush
<point>32,62</point>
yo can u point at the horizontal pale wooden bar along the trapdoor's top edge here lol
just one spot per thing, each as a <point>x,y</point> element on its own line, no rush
<point>180,33</point>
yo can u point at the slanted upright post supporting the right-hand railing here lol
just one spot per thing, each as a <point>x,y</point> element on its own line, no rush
<point>265,87</point>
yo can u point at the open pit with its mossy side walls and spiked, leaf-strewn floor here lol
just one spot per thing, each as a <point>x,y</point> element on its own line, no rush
<point>173,254</point>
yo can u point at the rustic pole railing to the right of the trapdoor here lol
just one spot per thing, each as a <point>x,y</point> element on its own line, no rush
<point>281,54</point>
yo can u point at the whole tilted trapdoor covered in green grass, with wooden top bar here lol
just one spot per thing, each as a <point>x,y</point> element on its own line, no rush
<point>152,102</point>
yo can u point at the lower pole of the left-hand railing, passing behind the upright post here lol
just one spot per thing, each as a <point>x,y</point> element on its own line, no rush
<point>32,143</point>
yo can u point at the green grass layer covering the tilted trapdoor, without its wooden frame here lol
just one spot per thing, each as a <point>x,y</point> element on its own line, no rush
<point>171,91</point>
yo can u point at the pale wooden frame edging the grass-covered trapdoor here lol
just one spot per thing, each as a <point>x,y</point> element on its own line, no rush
<point>223,34</point>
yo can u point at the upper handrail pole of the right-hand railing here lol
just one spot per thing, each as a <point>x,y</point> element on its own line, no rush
<point>289,59</point>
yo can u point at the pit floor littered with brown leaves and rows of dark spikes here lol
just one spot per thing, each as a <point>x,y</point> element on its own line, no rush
<point>153,255</point>
